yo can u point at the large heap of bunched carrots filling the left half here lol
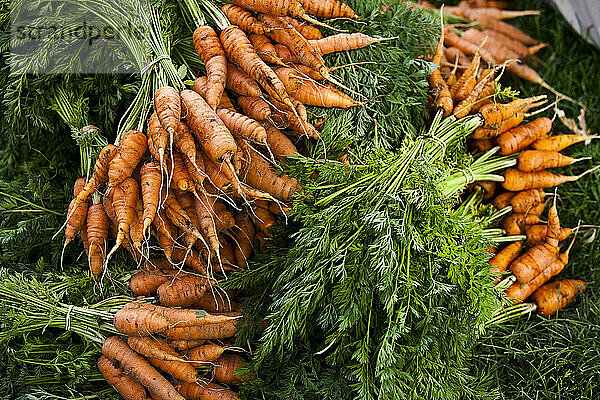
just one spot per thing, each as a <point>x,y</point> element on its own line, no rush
<point>188,197</point>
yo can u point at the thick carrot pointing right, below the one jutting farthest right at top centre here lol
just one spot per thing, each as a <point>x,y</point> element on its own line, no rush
<point>311,93</point>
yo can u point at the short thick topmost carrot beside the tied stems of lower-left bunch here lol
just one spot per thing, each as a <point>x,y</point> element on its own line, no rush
<point>135,320</point>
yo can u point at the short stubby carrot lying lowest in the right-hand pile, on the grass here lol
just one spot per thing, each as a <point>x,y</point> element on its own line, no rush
<point>556,295</point>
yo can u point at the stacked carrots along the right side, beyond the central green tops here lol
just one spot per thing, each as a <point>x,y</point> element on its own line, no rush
<point>537,260</point>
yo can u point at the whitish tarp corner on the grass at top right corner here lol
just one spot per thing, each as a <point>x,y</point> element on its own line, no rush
<point>584,17</point>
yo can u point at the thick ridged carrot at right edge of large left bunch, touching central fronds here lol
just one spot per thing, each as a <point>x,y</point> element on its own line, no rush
<point>257,173</point>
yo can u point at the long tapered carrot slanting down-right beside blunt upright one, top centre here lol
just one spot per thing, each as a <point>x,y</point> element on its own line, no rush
<point>241,52</point>
